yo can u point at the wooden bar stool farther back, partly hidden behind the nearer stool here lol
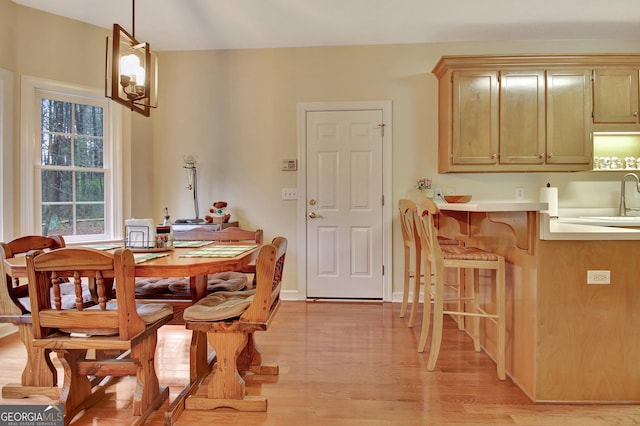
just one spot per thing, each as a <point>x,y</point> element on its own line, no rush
<point>413,254</point>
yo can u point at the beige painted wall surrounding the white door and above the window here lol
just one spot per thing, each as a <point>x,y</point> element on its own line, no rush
<point>236,110</point>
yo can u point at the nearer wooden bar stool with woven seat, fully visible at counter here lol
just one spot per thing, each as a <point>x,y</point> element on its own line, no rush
<point>435,259</point>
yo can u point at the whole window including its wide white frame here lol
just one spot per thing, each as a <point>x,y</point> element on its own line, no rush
<point>70,146</point>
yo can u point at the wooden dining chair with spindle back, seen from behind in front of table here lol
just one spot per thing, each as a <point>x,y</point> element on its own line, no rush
<point>117,325</point>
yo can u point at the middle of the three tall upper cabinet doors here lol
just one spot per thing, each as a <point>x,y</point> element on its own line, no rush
<point>522,117</point>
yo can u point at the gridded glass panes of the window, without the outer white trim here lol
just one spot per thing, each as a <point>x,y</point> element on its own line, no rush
<point>72,172</point>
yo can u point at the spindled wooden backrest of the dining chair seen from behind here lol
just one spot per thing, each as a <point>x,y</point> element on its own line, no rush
<point>45,269</point>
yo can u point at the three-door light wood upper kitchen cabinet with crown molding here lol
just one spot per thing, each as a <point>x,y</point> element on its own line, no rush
<point>519,113</point>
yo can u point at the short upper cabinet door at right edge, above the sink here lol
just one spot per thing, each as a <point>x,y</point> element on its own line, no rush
<point>615,95</point>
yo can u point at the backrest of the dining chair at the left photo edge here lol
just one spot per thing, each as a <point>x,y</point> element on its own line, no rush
<point>12,290</point>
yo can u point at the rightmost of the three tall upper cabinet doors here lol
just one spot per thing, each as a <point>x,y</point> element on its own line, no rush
<point>568,117</point>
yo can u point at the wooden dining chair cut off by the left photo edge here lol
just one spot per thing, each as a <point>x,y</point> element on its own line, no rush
<point>39,376</point>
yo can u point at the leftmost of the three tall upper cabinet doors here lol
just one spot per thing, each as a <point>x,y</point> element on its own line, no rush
<point>475,117</point>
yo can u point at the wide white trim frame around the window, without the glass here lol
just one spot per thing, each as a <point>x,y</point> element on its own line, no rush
<point>32,90</point>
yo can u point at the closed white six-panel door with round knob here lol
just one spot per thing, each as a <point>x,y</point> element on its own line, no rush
<point>344,204</point>
